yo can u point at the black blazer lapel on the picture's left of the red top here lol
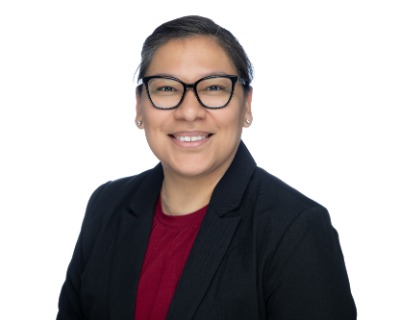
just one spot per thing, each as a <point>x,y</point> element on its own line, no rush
<point>133,235</point>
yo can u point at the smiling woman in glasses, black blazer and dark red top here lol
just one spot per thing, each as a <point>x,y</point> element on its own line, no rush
<point>206,234</point>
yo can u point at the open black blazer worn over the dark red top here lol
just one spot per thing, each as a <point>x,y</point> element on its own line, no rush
<point>263,251</point>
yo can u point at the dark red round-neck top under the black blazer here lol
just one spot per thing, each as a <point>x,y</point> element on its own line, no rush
<point>170,242</point>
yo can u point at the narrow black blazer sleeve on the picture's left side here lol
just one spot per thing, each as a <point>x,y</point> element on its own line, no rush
<point>69,306</point>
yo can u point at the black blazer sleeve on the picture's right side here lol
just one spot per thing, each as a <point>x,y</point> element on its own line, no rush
<point>308,278</point>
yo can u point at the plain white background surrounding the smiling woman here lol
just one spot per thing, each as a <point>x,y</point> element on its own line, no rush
<point>326,120</point>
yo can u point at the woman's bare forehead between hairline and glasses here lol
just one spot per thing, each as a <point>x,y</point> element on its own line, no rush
<point>190,58</point>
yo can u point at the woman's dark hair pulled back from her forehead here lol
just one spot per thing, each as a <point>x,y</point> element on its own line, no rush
<point>191,26</point>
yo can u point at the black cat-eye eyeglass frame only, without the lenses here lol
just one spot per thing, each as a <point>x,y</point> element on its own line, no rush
<point>186,86</point>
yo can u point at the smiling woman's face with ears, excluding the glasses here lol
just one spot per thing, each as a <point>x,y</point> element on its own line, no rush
<point>170,133</point>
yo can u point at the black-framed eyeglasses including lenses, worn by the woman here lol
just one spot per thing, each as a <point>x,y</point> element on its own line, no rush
<point>212,92</point>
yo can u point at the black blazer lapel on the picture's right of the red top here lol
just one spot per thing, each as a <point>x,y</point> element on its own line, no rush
<point>214,237</point>
